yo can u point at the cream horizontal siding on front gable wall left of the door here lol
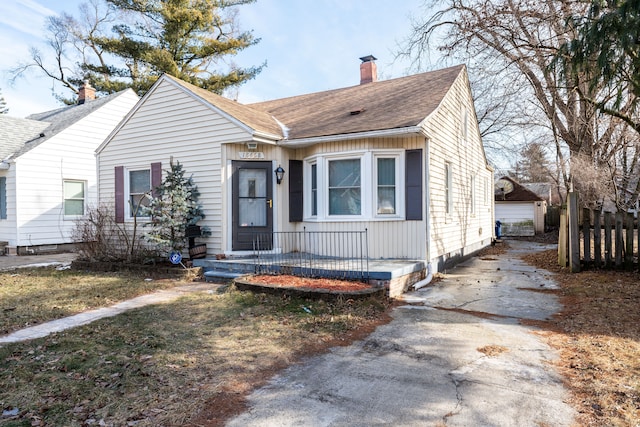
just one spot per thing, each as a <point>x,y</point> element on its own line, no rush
<point>170,123</point>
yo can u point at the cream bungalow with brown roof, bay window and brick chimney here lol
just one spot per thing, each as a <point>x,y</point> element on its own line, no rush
<point>401,158</point>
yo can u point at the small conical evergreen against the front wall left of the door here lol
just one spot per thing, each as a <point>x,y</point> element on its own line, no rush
<point>173,207</point>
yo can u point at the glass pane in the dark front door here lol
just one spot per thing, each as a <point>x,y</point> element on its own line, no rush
<point>252,201</point>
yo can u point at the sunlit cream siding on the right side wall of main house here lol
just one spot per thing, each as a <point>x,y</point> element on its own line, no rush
<point>464,229</point>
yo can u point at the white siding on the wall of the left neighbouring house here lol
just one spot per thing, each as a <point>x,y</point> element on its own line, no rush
<point>68,155</point>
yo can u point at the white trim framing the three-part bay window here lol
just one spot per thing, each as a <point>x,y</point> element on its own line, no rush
<point>368,186</point>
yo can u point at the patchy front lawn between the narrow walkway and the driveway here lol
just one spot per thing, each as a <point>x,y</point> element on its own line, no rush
<point>190,362</point>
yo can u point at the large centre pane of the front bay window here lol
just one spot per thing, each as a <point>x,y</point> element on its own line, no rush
<point>344,187</point>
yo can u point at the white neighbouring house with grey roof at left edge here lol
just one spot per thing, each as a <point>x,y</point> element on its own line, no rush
<point>48,169</point>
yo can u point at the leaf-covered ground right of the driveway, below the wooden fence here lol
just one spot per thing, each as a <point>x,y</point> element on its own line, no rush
<point>598,336</point>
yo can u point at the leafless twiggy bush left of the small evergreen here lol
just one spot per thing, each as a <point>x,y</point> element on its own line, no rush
<point>103,239</point>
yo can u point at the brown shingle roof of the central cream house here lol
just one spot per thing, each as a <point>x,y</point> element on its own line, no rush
<point>382,105</point>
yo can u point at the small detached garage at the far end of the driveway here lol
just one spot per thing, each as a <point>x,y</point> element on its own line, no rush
<point>520,211</point>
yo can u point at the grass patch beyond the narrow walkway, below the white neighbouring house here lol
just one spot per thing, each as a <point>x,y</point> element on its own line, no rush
<point>36,295</point>
